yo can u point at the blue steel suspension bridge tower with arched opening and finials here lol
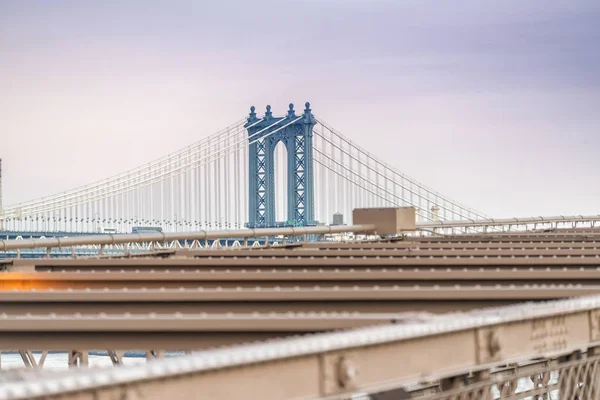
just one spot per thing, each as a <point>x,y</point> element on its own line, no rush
<point>296,133</point>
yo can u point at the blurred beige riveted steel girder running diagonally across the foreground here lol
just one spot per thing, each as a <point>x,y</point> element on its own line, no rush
<point>483,354</point>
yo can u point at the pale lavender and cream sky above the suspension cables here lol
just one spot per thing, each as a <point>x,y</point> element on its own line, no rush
<point>493,103</point>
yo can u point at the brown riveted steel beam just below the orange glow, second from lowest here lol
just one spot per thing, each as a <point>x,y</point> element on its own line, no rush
<point>308,294</point>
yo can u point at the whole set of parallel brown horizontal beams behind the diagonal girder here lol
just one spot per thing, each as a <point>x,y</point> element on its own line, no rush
<point>362,282</point>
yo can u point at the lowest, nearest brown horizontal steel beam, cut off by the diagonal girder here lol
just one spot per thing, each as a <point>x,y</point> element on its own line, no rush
<point>176,331</point>
